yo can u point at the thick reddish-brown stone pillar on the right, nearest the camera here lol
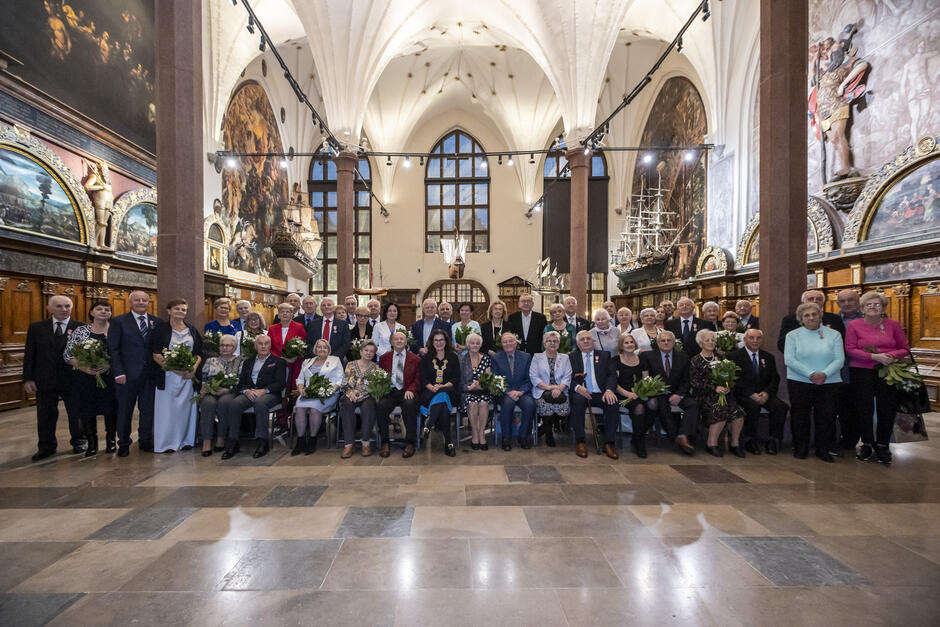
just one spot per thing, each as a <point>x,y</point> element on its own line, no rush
<point>784,27</point>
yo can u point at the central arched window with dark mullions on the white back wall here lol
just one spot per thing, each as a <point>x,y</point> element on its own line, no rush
<point>457,193</point>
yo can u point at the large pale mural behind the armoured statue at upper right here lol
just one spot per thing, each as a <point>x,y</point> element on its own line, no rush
<point>900,39</point>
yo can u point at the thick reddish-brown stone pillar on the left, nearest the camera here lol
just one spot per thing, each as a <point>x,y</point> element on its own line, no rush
<point>179,155</point>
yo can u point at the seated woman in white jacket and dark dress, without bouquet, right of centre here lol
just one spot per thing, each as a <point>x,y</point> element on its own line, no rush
<point>550,373</point>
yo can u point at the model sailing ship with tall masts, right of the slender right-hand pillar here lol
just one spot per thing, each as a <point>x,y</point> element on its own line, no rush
<point>646,242</point>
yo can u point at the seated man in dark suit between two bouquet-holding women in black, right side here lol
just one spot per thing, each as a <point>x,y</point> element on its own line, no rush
<point>673,367</point>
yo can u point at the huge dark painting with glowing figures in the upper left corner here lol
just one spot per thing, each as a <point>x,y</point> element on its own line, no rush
<point>96,56</point>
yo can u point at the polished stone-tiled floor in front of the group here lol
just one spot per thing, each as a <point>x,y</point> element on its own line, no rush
<point>536,537</point>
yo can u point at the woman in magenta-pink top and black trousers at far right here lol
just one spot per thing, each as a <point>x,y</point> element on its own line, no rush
<point>871,341</point>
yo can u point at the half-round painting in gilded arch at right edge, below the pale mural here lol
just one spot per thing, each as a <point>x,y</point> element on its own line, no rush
<point>911,205</point>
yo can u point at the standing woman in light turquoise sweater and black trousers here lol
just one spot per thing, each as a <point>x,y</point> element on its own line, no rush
<point>814,357</point>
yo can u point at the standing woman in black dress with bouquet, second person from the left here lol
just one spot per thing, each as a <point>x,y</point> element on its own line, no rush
<point>93,399</point>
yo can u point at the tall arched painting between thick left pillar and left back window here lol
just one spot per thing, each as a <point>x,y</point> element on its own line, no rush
<point>255,193</point>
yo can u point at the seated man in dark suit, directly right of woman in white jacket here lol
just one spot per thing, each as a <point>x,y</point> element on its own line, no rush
<point>593,383</point>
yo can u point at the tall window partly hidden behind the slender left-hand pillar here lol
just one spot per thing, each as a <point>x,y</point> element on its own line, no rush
<point>322,190</point>
